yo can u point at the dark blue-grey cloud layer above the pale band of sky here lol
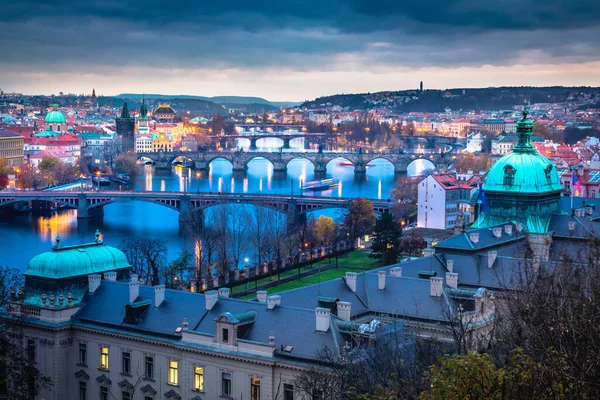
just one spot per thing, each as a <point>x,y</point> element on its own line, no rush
<point>87,36</point>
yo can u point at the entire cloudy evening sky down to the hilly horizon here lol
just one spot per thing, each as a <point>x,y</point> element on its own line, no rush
<point>295,49</point>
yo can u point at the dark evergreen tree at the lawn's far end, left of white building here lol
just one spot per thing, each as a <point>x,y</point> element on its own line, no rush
<point>386,244</point>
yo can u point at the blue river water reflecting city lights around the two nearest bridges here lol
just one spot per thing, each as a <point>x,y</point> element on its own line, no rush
<point>22,236</point>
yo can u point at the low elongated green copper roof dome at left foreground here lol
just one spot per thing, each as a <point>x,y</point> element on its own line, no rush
<point>73,261</point>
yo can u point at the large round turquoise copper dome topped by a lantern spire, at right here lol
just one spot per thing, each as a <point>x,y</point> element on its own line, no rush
<point>524,170</point>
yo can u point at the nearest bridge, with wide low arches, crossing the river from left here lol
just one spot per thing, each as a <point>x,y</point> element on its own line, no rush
<point>90,203</point>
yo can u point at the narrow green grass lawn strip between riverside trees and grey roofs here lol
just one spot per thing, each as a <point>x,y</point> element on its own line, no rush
<point>356,261</point>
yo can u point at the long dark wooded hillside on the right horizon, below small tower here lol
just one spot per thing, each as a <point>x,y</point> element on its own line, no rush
<point>455,99</point>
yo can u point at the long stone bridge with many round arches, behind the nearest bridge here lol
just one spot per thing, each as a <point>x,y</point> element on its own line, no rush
<point>280,160</point>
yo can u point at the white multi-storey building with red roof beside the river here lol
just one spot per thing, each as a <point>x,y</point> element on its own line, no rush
<point>443,197</point>
